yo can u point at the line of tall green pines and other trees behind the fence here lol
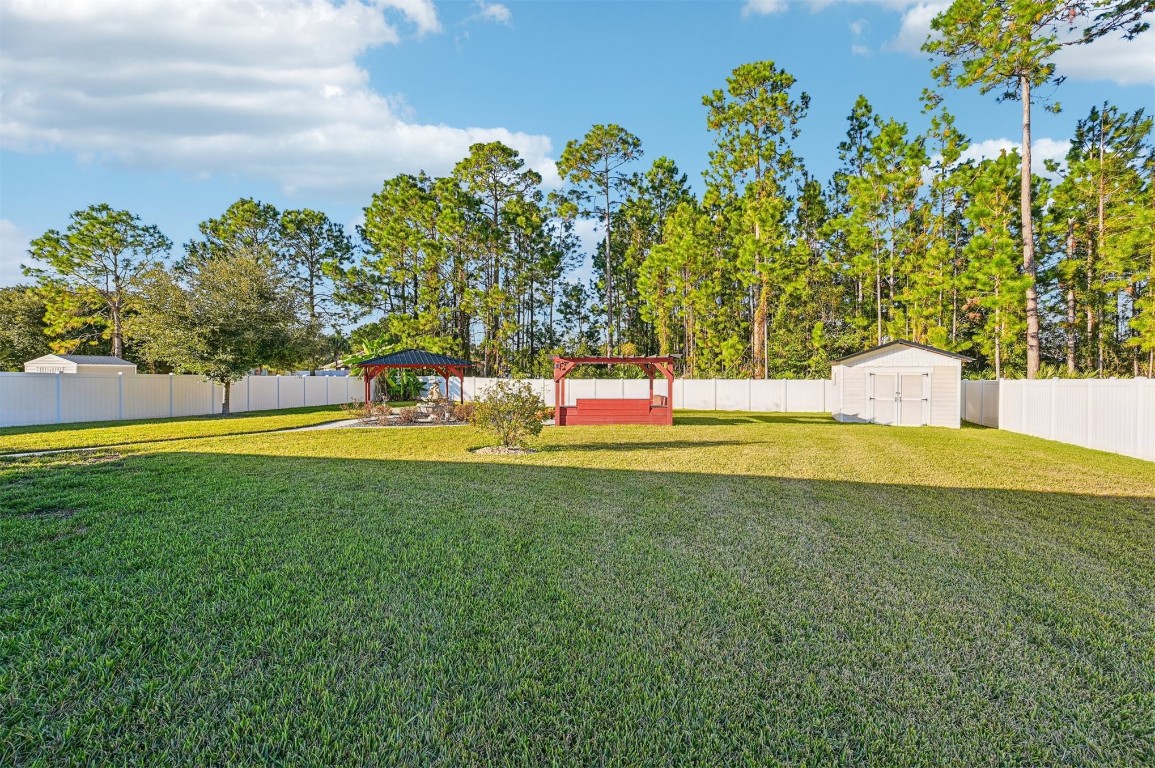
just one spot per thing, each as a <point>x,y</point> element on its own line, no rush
<point>769,272</point>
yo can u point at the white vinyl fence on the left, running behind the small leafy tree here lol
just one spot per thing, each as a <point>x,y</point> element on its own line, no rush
<point>28,399</point>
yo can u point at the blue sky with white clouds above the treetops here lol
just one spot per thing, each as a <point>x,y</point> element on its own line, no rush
<point>175,110</point>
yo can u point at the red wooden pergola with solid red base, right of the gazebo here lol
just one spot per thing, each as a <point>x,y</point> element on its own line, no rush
<point>657,409</point>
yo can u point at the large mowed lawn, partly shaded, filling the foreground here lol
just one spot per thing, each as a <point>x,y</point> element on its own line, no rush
<point>740,590</point>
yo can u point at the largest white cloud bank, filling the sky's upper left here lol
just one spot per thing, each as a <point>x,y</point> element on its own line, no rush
<point>229,87</point>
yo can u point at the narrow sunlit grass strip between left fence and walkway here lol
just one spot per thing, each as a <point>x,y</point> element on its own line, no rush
<point>54,437</point>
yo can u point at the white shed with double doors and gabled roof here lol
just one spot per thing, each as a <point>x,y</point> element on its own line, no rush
<point>901,384</point>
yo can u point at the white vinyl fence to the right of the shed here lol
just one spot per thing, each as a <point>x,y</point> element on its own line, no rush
<point>1114,415</point>
